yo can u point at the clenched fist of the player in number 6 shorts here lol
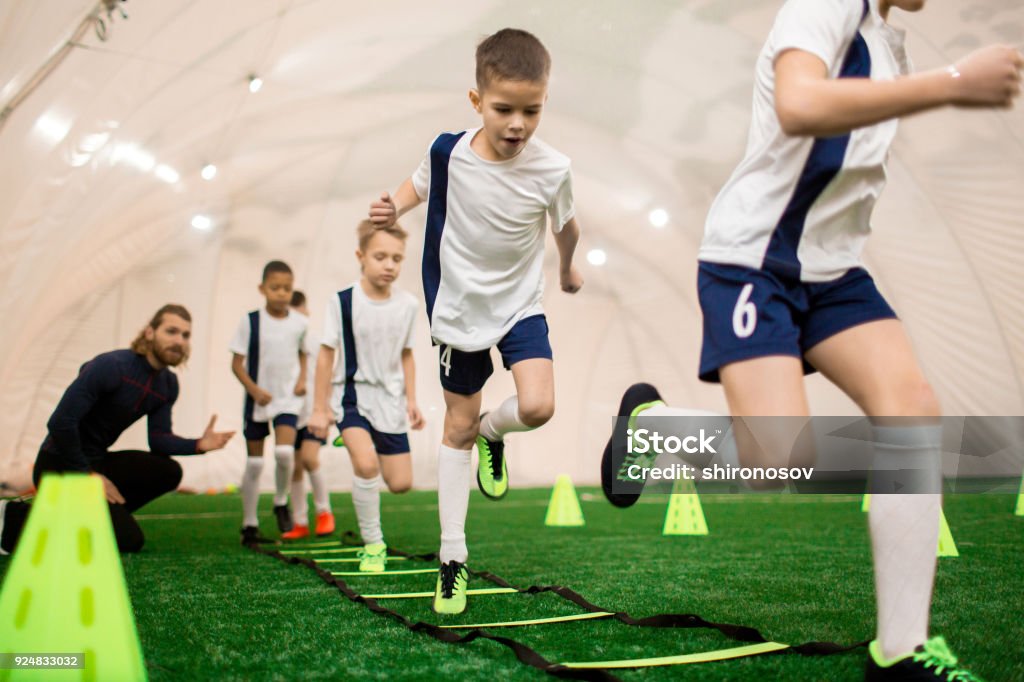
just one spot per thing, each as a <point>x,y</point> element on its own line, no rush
<point>991,76</point>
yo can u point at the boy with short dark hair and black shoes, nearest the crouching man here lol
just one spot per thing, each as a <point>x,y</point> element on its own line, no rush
<point>270,361</point>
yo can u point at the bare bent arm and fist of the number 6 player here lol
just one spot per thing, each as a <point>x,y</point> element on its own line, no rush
<point>810,104</point>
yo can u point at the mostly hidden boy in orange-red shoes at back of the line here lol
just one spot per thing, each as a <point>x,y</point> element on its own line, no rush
<point>309,454</point>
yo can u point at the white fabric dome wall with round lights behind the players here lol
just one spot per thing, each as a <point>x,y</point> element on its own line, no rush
<point>652,102</point>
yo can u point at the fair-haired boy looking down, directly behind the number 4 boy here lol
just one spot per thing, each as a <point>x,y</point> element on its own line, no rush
<point>372,392</point>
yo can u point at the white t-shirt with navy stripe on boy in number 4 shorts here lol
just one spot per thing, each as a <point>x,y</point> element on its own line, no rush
<point>487,237</point>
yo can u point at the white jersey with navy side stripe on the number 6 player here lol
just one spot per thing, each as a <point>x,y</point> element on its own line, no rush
<point>801,207</point>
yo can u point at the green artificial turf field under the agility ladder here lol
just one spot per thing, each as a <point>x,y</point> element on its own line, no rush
<point>796,568</point>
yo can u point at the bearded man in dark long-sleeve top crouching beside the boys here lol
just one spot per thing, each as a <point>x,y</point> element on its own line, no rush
<point>112,393</point>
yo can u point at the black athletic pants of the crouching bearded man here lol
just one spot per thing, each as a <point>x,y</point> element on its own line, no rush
<point>141,477</point>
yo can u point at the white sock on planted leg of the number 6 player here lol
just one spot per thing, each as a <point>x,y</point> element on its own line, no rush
<point>905,533</point>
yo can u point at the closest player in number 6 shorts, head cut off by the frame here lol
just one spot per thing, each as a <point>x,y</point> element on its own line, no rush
<point>784,293</point>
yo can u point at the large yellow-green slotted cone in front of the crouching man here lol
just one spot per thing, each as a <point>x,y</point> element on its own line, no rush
<point>65,591</point>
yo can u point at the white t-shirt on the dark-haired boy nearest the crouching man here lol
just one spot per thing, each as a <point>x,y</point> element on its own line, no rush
<point>281,342</point>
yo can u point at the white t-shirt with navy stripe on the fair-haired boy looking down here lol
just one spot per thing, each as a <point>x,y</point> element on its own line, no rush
<point>381,330</point>
